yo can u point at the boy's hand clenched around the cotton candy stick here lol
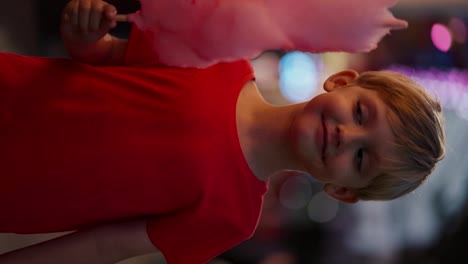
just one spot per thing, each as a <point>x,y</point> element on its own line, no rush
<point>87,21</point>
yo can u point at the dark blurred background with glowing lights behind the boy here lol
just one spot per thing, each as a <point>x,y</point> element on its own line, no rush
<point>299,223</point>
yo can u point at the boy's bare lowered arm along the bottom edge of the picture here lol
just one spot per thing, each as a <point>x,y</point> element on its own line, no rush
<point>101,245</point>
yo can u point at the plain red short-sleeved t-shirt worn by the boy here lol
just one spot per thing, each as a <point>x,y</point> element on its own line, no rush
<point>82,145</point>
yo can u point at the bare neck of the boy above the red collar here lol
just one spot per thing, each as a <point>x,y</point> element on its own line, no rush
<point>264,134</point>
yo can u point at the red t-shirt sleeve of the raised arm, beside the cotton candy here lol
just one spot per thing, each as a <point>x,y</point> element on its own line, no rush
<point>139,51</point>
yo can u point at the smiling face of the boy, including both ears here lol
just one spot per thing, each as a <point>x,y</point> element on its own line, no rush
<point>341,135</point>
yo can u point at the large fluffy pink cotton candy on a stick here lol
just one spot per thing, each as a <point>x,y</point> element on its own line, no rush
<point>199,33</point>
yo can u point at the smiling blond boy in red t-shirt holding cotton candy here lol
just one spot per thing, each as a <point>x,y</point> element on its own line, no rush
<point>148,157</point>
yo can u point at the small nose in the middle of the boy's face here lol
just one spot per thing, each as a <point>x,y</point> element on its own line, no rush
<point>349,136</point>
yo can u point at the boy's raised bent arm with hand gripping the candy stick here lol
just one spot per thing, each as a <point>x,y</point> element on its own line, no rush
<point>85,25</point>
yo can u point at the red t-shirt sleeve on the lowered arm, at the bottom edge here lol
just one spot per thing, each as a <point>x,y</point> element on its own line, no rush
<point>191,237</point>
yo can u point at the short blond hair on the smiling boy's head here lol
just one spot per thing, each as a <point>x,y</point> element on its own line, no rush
<point>417,124</point>
